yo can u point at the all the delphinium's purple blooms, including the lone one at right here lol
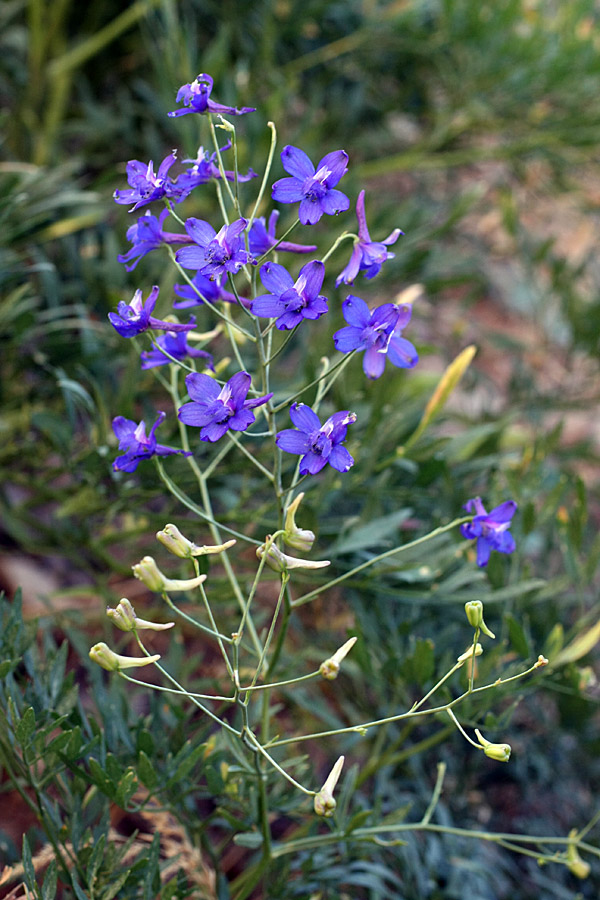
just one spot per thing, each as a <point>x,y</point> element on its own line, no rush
<point>214,258</point>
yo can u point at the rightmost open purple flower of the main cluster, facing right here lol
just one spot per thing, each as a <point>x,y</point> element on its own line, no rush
<point>378,333</point>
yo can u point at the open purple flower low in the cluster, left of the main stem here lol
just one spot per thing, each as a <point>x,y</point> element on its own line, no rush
<point>215,410</point>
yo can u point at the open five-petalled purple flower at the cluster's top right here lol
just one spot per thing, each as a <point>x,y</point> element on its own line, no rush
<point>313,189</point>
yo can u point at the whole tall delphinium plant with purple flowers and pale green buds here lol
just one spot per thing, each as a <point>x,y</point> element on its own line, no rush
<point>231,391</point>
